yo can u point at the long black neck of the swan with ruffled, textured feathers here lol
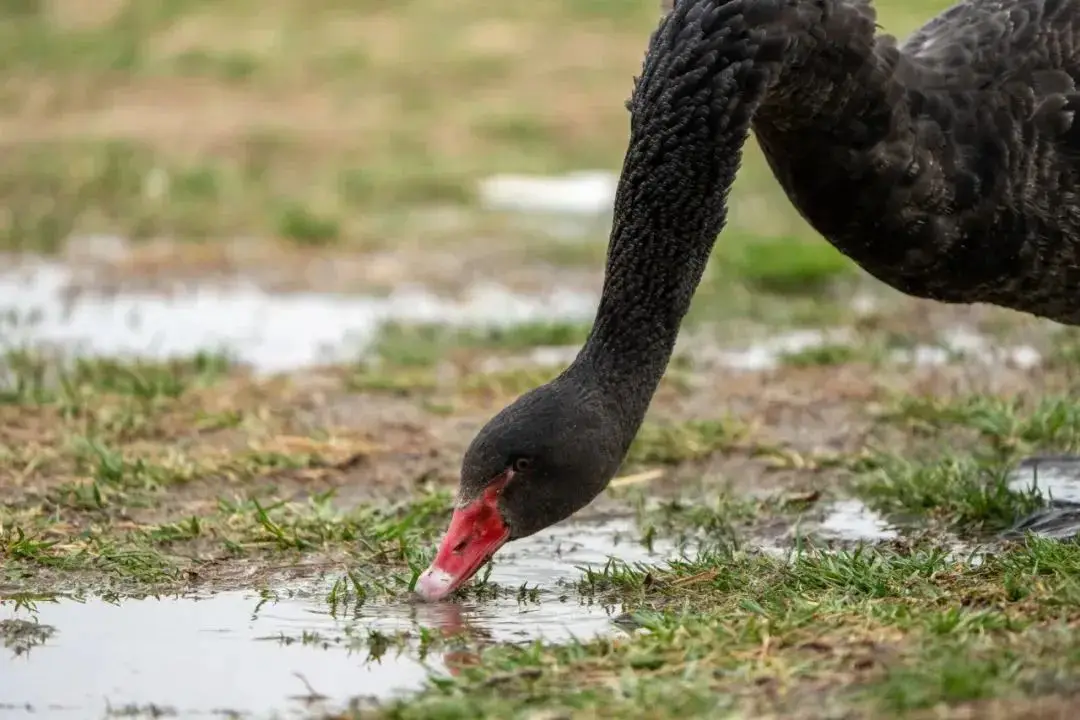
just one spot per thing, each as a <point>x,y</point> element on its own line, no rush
<point>691,117</point>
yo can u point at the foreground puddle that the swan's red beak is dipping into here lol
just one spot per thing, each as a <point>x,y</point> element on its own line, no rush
<point>244,654</point>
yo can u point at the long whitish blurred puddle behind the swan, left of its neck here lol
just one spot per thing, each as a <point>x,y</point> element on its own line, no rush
<point>271,332</point>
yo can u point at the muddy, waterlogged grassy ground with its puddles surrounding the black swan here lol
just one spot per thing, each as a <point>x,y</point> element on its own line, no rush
<point>822,517</point>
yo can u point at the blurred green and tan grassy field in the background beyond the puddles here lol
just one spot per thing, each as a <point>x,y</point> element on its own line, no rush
<point>323,121</point>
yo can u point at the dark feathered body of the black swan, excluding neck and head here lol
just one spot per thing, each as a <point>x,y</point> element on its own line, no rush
<point>948,167</point>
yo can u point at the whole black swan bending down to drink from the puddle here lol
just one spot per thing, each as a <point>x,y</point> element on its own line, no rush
<point>947,167</point>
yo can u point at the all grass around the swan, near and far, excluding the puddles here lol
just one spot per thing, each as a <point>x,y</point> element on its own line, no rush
<point>305,123</point>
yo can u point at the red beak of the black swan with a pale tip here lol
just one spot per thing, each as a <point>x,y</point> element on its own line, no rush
<point>477,532</point>
